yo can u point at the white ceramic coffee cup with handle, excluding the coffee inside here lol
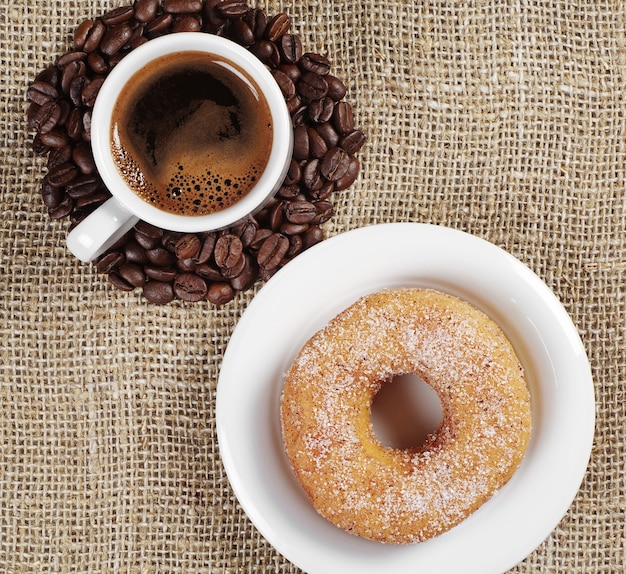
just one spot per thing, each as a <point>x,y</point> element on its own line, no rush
<point>109,222</point>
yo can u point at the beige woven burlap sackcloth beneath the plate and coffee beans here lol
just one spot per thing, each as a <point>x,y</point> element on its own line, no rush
<point>505,119</point>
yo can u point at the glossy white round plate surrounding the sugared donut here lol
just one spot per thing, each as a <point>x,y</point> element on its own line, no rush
<point>312,289</point>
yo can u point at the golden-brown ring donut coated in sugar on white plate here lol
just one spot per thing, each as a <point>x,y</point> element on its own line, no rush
<point>405,496</point>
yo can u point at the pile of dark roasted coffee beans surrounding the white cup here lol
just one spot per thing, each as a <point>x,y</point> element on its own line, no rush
<point>209,266</point>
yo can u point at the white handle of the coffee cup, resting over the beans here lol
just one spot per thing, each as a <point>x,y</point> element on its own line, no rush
<point>100,229</point>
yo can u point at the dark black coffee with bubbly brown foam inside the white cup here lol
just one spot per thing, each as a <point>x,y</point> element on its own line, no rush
<point>191,133</point>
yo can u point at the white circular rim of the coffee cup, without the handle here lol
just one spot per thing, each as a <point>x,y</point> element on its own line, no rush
<point>280,154</point>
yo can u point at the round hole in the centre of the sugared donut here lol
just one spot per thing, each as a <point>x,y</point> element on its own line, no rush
<point>405,411</point>
